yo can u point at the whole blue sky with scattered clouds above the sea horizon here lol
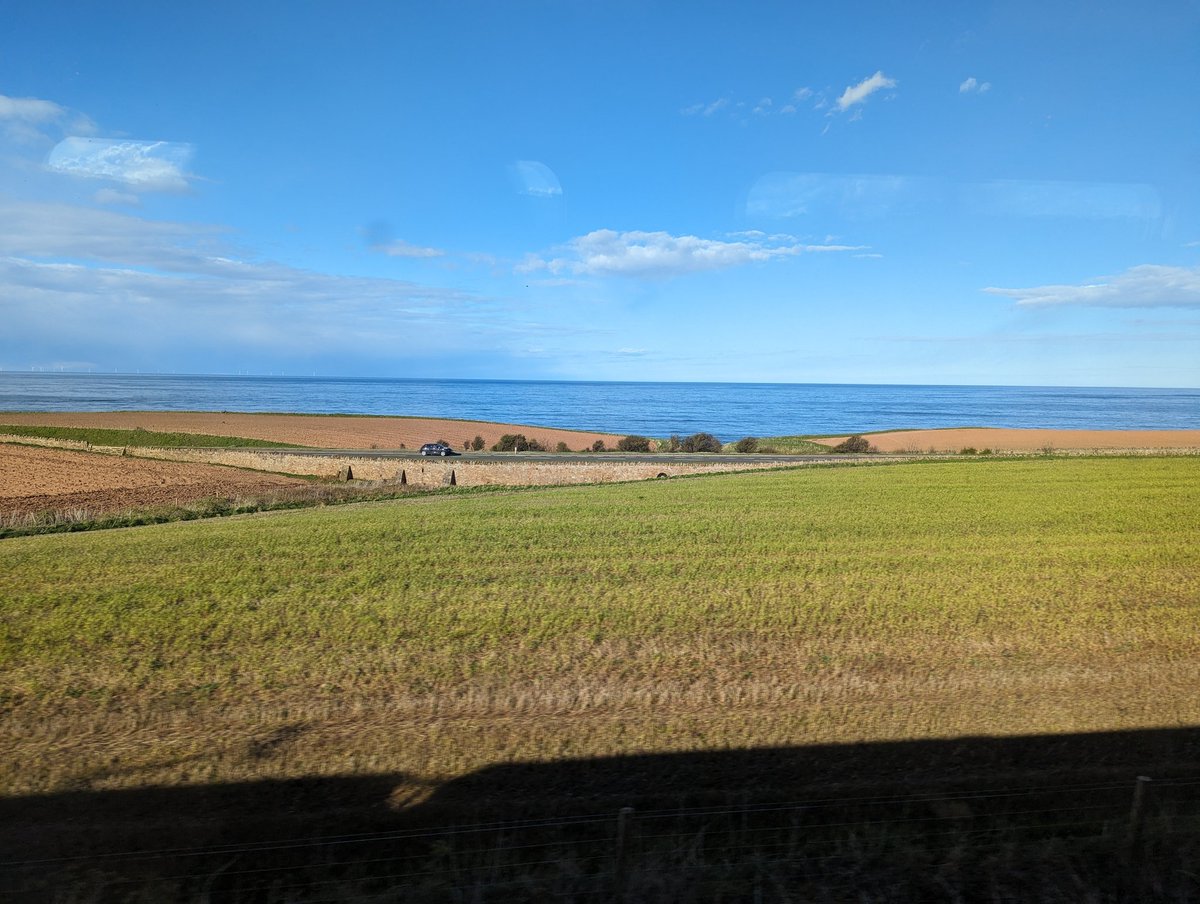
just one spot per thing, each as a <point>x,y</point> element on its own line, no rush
<point>999,194</point>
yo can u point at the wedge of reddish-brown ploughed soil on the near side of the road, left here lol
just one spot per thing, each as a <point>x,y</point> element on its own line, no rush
<point>39,480</point>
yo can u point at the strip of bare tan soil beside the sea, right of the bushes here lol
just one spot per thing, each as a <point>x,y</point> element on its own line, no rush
<point>1010,440</point>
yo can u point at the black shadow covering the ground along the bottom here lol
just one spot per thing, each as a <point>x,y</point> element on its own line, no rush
<point>1041,818</point>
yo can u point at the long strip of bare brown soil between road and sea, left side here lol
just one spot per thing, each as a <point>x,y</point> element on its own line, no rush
<point>320,432</point>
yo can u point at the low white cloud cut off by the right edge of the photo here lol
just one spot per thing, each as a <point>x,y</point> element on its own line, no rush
<point>1145,286</point>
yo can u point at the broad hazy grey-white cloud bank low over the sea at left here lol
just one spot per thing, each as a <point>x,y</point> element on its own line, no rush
<point>83,278</point>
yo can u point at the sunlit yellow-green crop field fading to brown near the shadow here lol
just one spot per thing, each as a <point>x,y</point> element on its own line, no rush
<point>441,634</point>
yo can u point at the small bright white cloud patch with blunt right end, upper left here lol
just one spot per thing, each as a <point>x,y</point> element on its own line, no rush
<point>145,166</point>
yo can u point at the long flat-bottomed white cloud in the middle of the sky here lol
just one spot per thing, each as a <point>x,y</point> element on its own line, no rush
<point>607,253</point>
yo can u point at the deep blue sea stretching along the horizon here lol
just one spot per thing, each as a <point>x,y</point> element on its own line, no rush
<point>728,410</point>
